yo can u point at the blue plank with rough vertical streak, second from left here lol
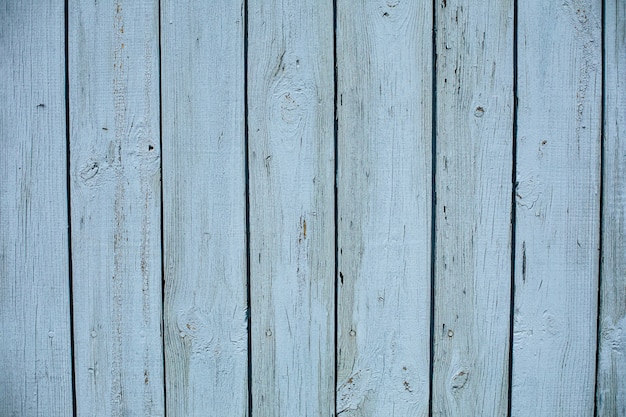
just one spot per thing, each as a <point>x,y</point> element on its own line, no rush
<point>115,189</point>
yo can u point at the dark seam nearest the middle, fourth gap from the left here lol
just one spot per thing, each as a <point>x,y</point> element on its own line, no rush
<point>336,208</point>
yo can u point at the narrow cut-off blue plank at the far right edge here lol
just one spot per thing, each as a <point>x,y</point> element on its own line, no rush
<point>611,394</point>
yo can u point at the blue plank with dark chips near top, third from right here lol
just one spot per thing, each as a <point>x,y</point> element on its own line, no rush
<point>473,209</point>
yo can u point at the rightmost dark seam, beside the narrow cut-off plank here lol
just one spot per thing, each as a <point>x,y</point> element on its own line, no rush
<point>601,214</point>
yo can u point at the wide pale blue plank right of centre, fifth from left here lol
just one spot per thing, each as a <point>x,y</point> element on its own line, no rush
<point>384,65</point>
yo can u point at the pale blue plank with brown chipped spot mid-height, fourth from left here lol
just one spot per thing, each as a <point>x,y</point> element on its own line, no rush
<point>292,249</point>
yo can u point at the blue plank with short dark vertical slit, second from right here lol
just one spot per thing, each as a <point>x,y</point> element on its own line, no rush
<point>558,210</point>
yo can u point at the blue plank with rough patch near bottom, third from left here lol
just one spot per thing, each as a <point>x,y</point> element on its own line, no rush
<point>204,208</point>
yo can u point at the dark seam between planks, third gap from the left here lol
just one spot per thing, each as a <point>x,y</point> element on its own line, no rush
<point>247,192</point>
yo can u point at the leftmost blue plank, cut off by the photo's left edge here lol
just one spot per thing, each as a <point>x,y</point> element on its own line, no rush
<point>35,363</point>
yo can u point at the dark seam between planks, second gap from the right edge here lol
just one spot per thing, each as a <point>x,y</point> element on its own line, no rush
<point>513,215</point>
